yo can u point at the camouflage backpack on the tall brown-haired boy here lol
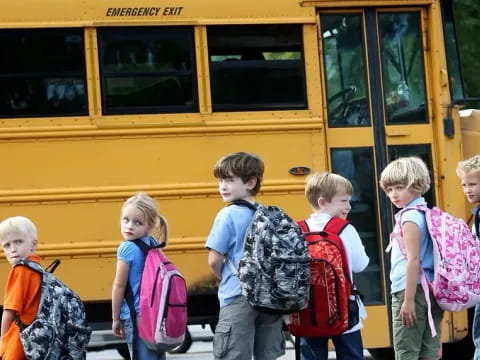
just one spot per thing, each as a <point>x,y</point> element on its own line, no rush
<point>274,271</point>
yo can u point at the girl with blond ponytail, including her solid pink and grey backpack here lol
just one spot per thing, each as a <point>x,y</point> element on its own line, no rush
<point>149,293</point>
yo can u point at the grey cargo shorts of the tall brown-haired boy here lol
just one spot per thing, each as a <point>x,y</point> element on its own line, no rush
<point>243,332</point>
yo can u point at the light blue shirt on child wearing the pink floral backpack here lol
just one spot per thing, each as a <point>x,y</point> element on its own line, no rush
<point>398,271</point>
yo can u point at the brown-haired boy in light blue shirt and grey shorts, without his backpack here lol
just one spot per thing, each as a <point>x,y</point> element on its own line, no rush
<point>241,332</point>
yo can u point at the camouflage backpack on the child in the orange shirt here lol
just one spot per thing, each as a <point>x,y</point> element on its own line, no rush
<point>60,330</point>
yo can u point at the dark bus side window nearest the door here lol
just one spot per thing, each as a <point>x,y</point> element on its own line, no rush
<point>257,67</point>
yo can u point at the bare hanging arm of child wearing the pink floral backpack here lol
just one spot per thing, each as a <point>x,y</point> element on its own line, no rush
<point>411,239</point>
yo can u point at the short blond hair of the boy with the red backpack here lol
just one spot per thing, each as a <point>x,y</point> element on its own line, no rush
<point>326,185</point>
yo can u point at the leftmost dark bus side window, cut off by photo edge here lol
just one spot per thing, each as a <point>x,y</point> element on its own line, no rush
<point>42,73</point>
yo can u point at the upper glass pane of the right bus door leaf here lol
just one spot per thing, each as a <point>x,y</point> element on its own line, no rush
<point>402,67</point>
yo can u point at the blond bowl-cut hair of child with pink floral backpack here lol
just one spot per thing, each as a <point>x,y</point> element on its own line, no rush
<point>410,172</point>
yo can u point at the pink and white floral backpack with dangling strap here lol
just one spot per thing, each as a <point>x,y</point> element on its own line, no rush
<point>456,254</point>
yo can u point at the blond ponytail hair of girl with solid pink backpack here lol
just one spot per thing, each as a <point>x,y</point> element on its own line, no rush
<point>148,206</point>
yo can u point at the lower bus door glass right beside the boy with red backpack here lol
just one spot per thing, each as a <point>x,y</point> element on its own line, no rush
<point>357,164</point>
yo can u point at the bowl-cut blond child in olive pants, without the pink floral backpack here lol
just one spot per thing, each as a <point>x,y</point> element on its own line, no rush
<point>416,315</point>
